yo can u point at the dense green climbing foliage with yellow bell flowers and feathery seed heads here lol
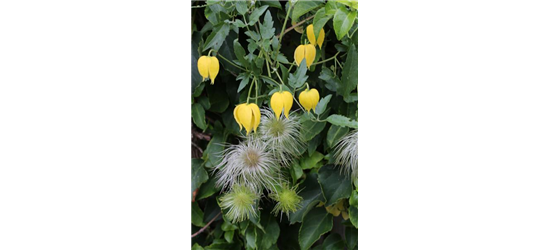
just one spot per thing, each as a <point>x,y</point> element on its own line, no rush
<point>273,121</point>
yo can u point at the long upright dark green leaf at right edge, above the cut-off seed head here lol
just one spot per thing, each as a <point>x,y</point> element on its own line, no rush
<point>350,75</point>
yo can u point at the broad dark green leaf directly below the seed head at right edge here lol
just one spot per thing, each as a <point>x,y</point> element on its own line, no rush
<point>335,186</point>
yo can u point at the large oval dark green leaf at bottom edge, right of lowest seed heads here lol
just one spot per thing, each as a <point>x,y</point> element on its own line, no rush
<point>315,224</point>
